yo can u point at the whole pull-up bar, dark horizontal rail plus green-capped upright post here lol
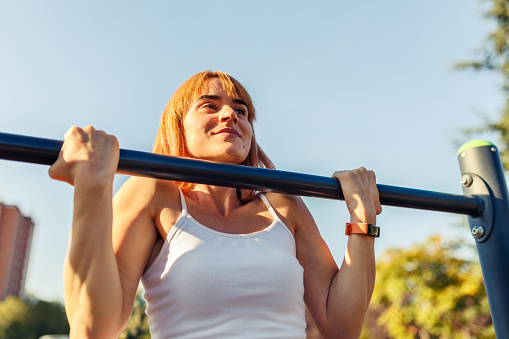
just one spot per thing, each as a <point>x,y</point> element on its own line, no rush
<point>486,200</point>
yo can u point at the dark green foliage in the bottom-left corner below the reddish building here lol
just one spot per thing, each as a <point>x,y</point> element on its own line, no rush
<point>31,318</point>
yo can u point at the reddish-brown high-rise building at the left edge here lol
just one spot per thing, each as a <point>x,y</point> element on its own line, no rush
<point>15,240</point>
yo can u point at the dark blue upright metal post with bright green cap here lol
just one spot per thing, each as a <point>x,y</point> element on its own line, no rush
<point>483,175</point>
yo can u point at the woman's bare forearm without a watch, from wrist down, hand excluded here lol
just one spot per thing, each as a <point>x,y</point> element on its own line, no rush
<point>93,291</point>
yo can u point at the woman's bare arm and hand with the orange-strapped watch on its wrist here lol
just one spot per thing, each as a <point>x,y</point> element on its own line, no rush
<point>338,298</point>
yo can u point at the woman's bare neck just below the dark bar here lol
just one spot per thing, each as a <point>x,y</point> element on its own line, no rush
<point>224,199</point>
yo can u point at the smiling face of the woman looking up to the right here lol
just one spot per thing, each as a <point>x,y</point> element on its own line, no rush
<point>216,127</point>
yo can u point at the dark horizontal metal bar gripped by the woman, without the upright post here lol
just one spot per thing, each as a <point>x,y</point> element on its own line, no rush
<point>45,151</point>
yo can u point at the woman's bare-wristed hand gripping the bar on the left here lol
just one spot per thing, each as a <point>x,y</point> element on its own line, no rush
<point>87,156</point>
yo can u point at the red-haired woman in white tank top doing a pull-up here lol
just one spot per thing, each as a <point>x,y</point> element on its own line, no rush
<point>215,262</point>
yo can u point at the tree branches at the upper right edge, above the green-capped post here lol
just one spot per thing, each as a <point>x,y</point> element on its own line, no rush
<point>494,57</point>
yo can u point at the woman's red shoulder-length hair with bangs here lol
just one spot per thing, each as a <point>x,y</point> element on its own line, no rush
<point>170,139</point>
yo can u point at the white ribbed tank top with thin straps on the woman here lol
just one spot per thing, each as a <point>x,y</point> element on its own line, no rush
<point>209,284</point>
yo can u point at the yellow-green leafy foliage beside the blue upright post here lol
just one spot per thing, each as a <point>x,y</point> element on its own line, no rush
<point>429,291</point>
